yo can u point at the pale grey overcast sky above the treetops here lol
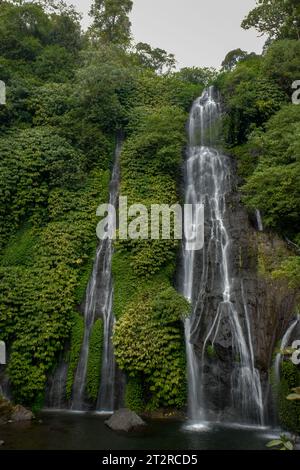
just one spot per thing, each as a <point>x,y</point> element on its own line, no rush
<point>198,32</point>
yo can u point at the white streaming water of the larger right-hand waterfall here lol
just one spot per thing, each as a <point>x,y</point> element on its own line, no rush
<point>208,181</point>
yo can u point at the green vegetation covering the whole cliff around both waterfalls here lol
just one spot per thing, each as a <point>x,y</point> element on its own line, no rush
<point>69,94</point>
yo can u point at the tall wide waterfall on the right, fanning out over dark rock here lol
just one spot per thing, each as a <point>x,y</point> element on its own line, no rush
<point>208,283</point>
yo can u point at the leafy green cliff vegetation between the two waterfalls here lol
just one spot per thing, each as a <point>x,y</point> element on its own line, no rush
<point>148,336</point>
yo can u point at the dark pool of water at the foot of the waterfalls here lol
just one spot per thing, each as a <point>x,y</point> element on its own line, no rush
<point>71,431</point>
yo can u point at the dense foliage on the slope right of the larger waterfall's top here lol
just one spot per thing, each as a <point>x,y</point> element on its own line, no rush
<point>261,129</point>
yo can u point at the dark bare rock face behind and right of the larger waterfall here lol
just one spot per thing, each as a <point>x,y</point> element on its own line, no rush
<point>268,303</point>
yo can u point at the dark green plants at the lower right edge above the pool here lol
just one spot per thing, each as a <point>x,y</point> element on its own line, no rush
<point>289,411</point>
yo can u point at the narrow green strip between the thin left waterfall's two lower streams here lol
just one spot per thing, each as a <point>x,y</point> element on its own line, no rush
<point>95,360</point>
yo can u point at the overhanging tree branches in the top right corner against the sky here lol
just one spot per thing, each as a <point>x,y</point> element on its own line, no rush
<point>279,19</point>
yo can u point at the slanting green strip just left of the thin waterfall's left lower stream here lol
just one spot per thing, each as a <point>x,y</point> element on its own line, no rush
<point>76,343</point>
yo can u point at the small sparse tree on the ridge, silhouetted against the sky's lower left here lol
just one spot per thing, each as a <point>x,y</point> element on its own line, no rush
<point>156,59</point>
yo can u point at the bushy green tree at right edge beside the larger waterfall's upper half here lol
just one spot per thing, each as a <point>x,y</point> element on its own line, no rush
<point>274,185</point>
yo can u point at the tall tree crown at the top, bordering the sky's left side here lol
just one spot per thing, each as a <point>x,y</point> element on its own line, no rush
<point>111,20</point>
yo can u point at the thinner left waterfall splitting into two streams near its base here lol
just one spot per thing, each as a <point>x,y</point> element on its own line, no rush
<point>98,304</point>
